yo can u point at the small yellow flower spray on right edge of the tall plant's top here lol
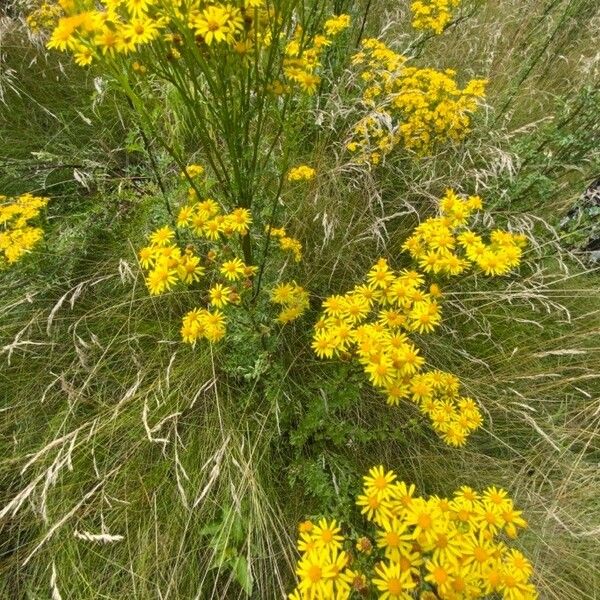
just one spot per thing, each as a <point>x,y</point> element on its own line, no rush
<point>302,61</point>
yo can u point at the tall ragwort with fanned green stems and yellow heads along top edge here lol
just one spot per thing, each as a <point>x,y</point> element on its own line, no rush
<point>237,69</point>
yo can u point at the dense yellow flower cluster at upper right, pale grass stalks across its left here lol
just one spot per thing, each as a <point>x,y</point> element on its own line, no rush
<point>411,106</point>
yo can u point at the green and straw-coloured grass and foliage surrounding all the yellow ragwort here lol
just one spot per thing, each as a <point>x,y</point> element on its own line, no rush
<point>144,469</point>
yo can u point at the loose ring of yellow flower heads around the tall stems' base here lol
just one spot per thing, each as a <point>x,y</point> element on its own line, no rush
<point>166,265</point>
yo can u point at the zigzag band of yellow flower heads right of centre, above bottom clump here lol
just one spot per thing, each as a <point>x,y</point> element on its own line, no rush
<point>374,320</point>
